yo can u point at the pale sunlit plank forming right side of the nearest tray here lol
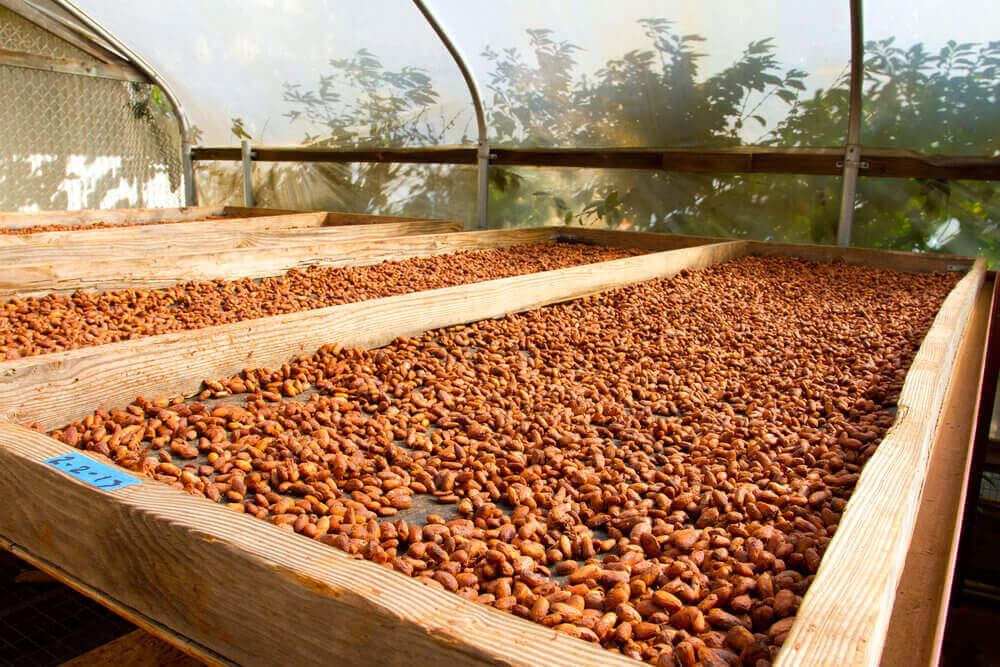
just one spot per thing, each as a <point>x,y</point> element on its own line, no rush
<point>845,613</point>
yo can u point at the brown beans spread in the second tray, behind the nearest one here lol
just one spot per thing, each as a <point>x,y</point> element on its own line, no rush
<point>52,323</point>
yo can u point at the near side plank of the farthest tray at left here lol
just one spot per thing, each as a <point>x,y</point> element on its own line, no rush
<point>69,250</point>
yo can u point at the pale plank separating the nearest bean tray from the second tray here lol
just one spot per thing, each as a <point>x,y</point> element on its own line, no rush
<point>51,388</point>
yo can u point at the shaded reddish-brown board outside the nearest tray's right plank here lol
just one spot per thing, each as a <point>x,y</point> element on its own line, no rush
<point>916,628</point>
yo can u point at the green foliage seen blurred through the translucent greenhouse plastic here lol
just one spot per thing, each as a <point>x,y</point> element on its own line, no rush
<point>934,102</point>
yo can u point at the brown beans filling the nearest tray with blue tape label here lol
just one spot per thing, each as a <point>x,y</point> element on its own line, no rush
<point>657,469</point>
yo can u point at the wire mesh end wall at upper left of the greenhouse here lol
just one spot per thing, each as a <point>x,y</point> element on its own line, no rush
<point>69,141</point>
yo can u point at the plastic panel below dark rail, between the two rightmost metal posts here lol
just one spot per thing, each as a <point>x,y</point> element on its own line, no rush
<point>760,206</point>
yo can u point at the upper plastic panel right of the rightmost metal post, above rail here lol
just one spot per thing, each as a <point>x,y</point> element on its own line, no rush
<point>932,77</point>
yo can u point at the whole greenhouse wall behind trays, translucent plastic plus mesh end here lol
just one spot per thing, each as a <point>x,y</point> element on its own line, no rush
<point>653,74</point>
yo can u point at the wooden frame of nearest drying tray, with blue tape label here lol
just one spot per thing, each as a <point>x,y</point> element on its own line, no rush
<point>230,588</point>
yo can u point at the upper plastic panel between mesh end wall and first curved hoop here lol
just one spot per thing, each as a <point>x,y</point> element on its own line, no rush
<point>289,72</point>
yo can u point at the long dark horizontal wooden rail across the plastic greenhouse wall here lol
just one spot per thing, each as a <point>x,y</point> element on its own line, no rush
<point>878,162</point>
